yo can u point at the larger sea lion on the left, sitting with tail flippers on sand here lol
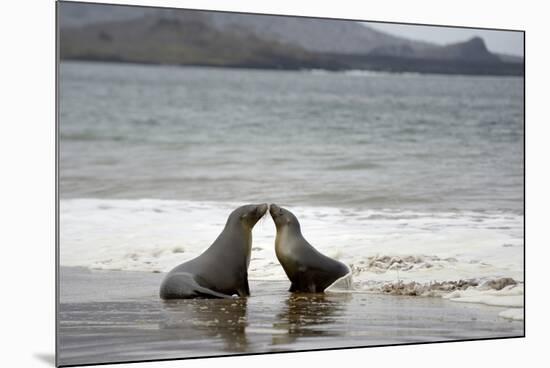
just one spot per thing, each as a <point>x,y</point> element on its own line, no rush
<point>222,269</point>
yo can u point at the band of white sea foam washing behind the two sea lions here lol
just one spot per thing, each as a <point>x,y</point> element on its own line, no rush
<point>419,253</point>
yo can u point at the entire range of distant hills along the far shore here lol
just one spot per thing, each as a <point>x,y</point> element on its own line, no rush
<point>188,37</point>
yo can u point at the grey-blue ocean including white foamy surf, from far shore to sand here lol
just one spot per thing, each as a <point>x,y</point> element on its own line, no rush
<point>406,178</point>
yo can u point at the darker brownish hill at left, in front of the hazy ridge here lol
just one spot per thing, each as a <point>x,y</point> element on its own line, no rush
<point>185,40</point>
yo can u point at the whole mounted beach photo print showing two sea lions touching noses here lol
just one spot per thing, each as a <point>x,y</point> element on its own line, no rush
<point>235,183</point>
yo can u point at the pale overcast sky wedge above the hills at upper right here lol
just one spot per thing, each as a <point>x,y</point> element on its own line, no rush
<point>497,41</point>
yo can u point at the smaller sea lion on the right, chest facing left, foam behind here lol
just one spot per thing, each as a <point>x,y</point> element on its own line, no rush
<point>307,269</point>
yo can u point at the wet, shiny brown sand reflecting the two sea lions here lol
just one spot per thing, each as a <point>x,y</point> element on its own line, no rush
<point>110,316</point>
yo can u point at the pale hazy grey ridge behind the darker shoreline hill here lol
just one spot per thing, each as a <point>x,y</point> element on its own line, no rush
<point>311,34</point>
